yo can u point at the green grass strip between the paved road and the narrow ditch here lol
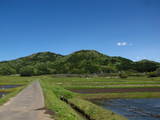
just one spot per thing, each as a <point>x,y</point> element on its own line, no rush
<point>62,111</point>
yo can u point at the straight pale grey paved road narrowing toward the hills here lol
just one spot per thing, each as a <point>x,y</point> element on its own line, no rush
<point>26,105</point>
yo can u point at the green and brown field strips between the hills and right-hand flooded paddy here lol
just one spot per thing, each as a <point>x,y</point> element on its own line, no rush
<point>141,87</point>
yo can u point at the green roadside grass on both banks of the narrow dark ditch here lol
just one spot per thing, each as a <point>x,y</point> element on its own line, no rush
<point>53,93</point>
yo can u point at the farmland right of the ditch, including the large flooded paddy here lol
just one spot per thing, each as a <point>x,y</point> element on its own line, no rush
<point>109,95</point>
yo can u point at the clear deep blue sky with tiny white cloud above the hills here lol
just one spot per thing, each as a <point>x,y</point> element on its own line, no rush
<point>127,28</point>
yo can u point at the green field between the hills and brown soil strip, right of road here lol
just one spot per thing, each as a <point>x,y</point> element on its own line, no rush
<point>102,82</point>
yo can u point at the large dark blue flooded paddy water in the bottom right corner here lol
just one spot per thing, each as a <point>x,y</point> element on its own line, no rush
<point>133,109</point>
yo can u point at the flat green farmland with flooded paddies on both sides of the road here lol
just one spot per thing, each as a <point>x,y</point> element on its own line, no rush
<point>86,98</point>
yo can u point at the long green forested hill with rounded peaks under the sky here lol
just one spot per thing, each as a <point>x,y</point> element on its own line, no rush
<point>80,62</point>
